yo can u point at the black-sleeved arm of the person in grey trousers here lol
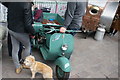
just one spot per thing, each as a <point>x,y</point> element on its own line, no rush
<point>28,18</point>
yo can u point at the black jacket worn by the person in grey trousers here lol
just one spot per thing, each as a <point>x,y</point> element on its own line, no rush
<point>20,17</point>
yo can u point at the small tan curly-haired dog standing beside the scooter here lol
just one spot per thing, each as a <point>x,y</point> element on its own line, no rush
<point>39,67</point>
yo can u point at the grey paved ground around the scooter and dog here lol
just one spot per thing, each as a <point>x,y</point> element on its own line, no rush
<point>90,59</point>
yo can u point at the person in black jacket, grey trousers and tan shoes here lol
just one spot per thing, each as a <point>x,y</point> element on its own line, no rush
<point>20,26</point>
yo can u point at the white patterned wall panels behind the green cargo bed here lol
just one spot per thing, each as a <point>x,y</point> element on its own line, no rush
<point>56,6</point>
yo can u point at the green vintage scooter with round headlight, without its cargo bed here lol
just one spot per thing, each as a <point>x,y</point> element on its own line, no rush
<point>55,46</point>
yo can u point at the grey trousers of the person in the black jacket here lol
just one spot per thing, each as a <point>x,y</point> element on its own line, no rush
<point>16,38</point>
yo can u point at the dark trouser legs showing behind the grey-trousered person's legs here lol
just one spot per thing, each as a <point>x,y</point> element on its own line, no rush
<point>10,47</point>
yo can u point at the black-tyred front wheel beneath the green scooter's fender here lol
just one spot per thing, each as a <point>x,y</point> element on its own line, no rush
<point>62,75</point>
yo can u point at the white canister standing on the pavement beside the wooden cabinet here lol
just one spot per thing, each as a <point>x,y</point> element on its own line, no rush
<point>99,34</point>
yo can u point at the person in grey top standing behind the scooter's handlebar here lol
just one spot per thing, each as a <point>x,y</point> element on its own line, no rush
<point>74,13</point>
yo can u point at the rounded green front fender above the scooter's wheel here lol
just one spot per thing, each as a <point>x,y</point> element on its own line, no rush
<point>63,63</point>
